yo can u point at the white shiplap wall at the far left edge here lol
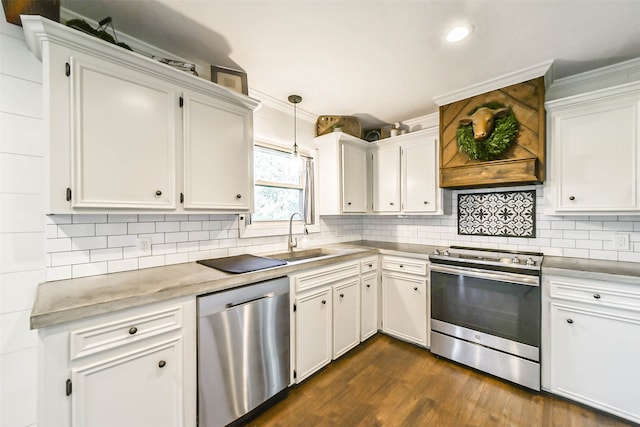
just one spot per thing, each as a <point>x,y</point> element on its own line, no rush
<point>22,239</point>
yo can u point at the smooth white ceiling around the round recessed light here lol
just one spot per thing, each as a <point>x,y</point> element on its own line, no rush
<point>382,61</point>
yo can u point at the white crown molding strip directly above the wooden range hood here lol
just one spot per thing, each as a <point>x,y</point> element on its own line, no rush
<point>497,83</point>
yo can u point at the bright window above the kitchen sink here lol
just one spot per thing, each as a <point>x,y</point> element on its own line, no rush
<point>281,186</point>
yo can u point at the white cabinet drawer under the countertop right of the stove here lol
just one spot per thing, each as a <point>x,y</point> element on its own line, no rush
<point>600,293</point>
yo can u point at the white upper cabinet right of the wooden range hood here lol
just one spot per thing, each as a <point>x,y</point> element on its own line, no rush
<point>594,141</point>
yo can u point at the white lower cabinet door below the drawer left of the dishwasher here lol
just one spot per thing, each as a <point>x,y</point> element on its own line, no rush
<point>142,388</point>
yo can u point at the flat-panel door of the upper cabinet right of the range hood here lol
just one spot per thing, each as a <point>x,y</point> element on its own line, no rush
<point>596,149</point>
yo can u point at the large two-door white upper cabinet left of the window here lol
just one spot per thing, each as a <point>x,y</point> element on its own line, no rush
<point>117,126</point>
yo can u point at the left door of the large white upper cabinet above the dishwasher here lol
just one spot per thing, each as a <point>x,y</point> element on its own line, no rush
<point>124,137</point>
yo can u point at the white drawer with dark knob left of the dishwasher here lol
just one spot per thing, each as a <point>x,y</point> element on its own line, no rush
<point>115,331</point>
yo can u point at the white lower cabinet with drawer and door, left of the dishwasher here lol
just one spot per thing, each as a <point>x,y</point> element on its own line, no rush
<point>136,367</point>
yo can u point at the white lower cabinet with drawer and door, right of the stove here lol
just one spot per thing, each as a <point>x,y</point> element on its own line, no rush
<point>593,344</point>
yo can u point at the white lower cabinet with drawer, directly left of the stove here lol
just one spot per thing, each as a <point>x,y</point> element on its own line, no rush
<point>404,299</point>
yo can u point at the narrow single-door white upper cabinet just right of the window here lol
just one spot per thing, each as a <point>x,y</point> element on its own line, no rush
<point>343,174</point>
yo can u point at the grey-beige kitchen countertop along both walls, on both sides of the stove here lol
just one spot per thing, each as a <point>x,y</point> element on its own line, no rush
<point>67,300</point>
